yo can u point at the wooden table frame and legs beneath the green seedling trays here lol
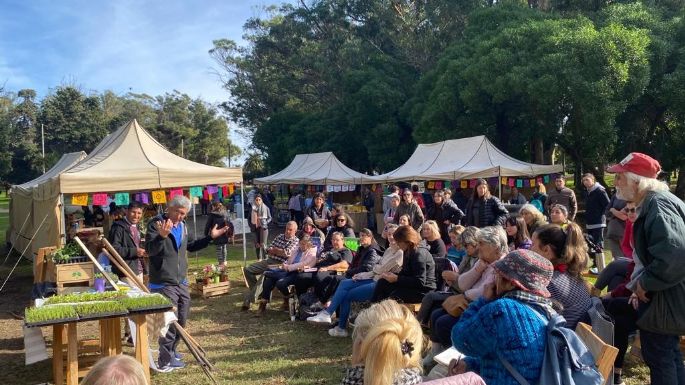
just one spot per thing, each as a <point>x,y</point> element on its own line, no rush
<point>65,337</point>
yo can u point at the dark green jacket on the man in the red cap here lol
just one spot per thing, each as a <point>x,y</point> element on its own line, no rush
<point>659,239</point>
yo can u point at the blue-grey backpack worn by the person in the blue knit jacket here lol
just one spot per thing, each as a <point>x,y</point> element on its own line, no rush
<point>566,361</point>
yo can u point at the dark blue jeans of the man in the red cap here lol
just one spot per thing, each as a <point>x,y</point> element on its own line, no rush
<point>661,353</point>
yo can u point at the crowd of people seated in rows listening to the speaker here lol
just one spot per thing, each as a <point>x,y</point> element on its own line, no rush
<point>478,276</point>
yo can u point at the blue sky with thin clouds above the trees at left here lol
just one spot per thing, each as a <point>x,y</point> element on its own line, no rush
<point>140,46</point>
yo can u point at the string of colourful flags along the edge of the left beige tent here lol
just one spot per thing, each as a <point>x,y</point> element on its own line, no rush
<point>155,196</point>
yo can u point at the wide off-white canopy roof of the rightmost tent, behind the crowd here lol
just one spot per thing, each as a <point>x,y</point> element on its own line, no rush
<point>466,158</point>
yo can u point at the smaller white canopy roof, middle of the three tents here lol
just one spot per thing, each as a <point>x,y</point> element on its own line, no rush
<point>315,169</point>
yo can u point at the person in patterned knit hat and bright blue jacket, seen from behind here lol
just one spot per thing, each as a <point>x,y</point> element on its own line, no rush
<point>503,322</point>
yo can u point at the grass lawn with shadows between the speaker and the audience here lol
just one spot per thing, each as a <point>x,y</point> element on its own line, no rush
<point>245,350</point>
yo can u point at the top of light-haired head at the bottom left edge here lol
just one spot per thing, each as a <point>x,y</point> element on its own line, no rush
<point>116,370</point>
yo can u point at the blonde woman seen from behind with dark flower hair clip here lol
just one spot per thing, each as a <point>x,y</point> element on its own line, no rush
<point>386,350</point>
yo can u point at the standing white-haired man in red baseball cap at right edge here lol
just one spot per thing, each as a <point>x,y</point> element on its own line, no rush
<point>659,243</point>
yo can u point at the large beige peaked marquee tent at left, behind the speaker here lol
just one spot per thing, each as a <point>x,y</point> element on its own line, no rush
<point>127,160</point>
